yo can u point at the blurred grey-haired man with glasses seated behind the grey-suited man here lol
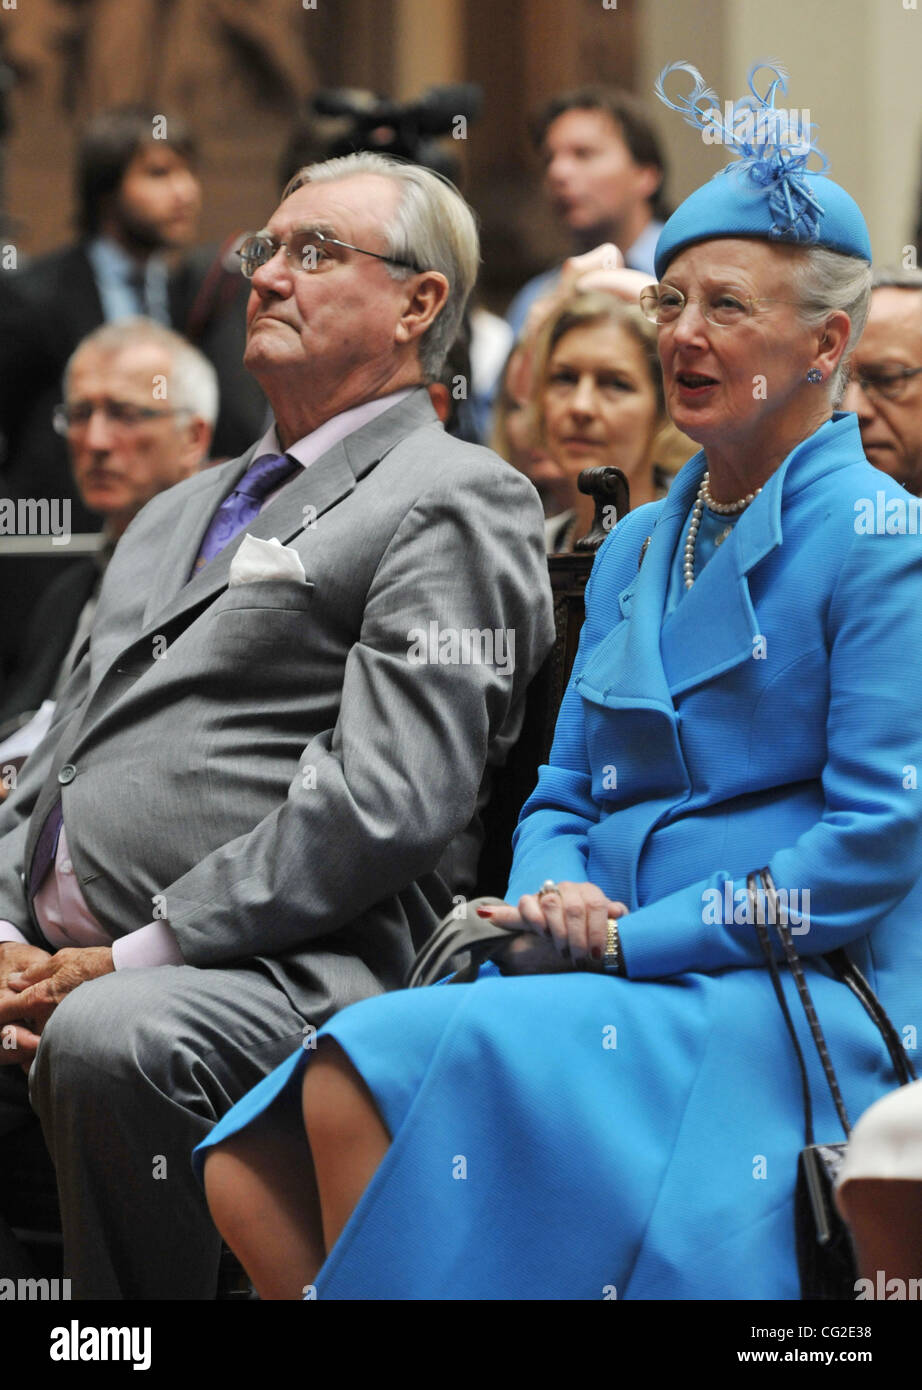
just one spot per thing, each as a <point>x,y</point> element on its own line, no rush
<point>138,414</point>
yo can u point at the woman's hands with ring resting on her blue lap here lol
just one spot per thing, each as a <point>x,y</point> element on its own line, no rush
<point>569,924</point>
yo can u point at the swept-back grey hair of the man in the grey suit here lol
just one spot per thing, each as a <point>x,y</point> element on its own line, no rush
<point>433,229</point>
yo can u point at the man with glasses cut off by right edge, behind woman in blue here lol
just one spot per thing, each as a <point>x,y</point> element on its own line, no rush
<point>887,379</point>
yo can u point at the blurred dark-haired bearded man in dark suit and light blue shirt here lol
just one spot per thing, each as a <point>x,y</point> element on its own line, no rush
<point>138,204</point>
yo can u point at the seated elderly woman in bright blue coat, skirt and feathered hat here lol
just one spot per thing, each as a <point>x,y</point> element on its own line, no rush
<point>618,1114</point>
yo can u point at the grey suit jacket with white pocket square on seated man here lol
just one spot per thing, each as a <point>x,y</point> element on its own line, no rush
<point>265,765</point>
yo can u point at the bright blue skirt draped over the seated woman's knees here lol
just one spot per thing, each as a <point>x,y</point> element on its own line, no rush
<point>579,1136</point>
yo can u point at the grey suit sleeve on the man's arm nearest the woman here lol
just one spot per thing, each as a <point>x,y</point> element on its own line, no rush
<point>380,794</point>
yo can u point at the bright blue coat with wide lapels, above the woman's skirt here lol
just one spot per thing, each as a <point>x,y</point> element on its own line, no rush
<point>774,718</point>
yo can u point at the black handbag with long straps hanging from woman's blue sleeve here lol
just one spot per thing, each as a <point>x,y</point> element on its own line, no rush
<point>825,1256</point>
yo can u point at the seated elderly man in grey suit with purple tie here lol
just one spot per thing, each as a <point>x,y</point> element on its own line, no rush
<point>236,825</point>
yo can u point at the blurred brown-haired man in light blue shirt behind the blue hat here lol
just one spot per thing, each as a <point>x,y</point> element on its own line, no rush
<point>604,170</point>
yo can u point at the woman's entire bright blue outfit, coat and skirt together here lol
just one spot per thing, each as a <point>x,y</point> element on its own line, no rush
<point>581,1136</point>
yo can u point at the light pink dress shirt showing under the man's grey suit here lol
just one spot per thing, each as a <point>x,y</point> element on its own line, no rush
<point>60,908</point>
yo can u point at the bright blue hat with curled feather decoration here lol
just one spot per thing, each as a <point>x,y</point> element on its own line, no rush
<point>768,193</point>
